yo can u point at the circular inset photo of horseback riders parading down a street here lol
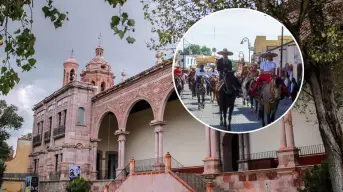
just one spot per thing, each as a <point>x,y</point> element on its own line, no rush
<point>238,70</point>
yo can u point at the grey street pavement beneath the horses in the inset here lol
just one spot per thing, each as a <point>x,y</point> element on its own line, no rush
<point>242,117</point>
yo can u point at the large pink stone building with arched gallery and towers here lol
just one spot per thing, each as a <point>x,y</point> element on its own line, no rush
<point>99,126</point>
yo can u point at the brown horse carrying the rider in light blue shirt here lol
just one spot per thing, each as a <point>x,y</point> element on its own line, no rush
<point>269,97</point>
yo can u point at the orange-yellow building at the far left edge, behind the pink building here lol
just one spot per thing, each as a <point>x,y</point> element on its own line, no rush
<point>17,167</point>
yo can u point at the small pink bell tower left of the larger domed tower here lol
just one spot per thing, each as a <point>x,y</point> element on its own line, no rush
<point>70,69</point>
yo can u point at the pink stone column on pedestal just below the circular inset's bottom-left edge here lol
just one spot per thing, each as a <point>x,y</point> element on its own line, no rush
<point>212,163</point>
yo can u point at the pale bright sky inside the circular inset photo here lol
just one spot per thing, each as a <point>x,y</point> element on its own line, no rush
<point>226,29</point>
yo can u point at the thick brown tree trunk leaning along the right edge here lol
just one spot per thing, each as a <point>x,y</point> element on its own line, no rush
<point>329,126</point>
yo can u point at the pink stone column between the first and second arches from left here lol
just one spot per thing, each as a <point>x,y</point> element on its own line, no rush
<point>121,151</point>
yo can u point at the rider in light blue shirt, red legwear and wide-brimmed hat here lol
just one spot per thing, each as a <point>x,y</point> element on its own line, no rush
<point>267,72</point>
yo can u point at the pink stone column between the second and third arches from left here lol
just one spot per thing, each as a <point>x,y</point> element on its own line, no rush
<point>158,140</point>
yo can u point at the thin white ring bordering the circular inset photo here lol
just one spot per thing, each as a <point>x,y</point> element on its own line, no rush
<point>243,132</point>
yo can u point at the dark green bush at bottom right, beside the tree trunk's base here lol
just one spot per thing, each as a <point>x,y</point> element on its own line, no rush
<point>317,179</point>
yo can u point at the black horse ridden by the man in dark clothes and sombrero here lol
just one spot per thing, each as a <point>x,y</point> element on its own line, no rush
<point>227,93</point>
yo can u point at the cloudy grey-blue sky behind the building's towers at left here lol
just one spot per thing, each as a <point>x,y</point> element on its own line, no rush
<point>87,19</point>
